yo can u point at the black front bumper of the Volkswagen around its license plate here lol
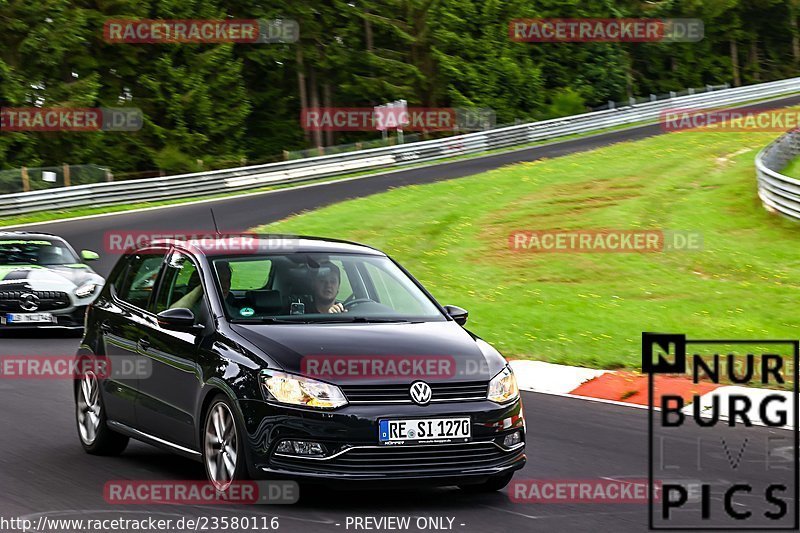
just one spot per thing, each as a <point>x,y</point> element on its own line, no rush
<point>353,453</point>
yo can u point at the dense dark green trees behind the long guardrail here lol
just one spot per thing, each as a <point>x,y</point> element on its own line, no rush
<point>216,104</point>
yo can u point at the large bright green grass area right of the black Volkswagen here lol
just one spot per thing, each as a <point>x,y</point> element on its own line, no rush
<point>590,308</point>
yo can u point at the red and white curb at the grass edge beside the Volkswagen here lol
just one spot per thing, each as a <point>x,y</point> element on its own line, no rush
<point>631,389</point>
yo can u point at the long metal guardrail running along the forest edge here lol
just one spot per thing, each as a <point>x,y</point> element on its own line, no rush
<point>253,177</point>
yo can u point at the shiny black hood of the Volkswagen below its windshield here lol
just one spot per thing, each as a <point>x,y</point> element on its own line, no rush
<point>459,355</point>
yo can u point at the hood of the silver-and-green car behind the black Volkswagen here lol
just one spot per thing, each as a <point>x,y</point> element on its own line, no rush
<point>50,278</point>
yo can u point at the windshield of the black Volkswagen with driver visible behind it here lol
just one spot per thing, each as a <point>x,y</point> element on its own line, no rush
<point>311,287</point>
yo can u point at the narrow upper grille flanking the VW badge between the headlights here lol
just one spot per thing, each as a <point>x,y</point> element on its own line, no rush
<point>440,392</point>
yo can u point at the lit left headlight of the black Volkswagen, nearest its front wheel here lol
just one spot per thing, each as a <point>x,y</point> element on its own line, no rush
<point>302,391</point>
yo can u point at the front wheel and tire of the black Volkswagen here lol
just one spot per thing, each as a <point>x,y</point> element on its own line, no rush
<point>219,454</point>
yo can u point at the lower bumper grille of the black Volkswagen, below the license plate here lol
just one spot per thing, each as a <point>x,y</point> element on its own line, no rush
<point>423,459</point>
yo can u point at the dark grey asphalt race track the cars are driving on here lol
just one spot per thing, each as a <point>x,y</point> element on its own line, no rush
<point>43,469</point>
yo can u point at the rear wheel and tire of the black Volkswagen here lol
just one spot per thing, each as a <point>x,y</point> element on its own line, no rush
<point>103,441</point>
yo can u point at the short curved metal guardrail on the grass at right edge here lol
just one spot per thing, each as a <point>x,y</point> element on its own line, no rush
<point>779,193</point>
